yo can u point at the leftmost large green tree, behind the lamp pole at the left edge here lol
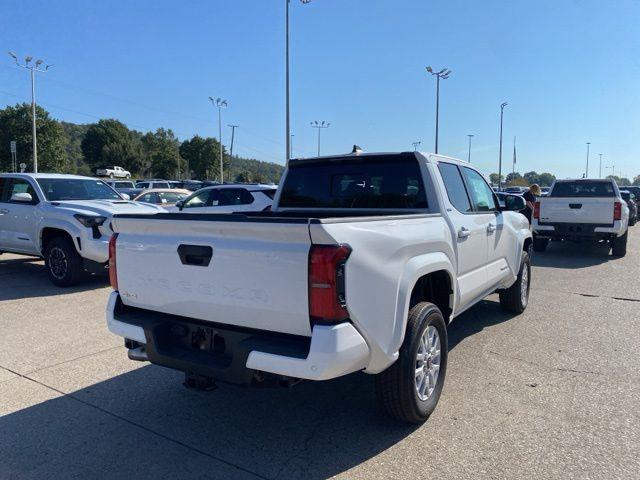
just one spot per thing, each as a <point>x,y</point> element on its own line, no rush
<point>15,124</point>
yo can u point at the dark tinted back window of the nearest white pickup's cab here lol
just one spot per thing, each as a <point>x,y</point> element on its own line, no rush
<point>376,182</point>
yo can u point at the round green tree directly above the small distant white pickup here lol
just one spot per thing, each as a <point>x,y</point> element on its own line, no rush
<point>110,142</point>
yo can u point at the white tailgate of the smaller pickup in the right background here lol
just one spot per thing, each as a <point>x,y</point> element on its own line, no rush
<point>594,210</point>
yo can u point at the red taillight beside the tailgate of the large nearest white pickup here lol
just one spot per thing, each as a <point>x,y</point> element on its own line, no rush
<point>327,302</point>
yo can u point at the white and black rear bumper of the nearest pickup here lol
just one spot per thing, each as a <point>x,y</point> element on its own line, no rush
<point>238,355</point>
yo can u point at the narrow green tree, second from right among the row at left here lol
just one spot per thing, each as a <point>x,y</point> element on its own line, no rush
<point>161,154</point>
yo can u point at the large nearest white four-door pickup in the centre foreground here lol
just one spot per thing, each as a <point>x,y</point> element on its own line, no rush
<point>360,265</point>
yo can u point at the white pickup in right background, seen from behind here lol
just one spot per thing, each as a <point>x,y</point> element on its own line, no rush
<point>582,210</point>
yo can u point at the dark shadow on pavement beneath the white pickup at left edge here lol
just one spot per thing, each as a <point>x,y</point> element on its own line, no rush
<point>26,277</point>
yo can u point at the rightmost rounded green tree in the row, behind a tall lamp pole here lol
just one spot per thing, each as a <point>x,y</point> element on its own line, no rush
<point>202,155</point>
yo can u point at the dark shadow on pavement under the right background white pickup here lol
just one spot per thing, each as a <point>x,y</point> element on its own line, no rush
<point>572,255</point>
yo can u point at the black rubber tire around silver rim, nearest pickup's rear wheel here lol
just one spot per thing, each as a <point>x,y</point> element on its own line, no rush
<point>396,387</point>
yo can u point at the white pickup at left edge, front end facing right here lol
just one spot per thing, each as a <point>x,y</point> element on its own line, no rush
<point>65,219</point>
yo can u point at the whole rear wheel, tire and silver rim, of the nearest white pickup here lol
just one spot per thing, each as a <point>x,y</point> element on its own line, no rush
<point>409,389</point>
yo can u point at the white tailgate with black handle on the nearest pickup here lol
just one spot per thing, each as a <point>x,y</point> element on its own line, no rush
<point>256,275</point>
